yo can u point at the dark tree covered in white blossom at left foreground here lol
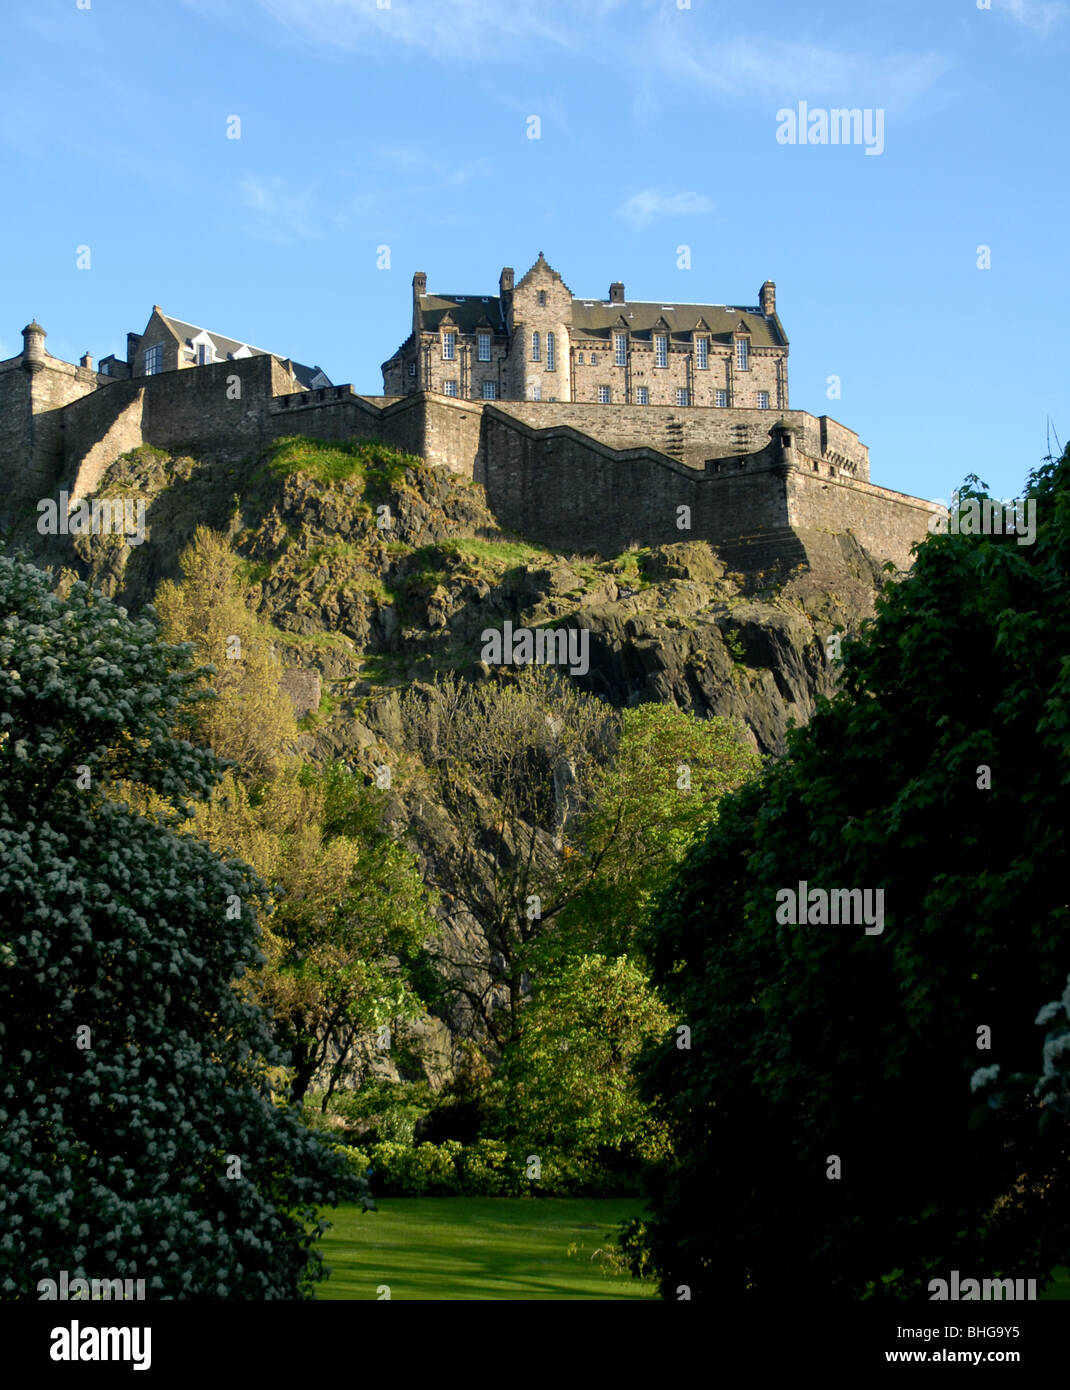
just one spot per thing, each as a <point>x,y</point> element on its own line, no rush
<point>138,1132</point>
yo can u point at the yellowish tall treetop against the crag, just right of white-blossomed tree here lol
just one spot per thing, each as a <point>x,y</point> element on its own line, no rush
<point>252,722</point>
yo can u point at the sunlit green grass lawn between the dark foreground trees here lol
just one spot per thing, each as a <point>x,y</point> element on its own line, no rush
<point>477,1248</point>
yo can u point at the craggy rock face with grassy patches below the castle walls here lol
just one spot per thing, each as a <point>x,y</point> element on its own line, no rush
<point>374,571</point>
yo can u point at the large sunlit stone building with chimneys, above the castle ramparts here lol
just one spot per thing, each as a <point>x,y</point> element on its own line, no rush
<point>536,341</point>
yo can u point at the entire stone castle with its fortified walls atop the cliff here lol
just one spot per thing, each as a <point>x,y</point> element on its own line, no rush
<point>593,426</point>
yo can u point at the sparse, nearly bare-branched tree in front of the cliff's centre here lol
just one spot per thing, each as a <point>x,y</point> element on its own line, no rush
<point>509,767</point>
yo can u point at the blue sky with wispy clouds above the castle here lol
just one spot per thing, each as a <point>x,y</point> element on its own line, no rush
<point>408,127</point>
